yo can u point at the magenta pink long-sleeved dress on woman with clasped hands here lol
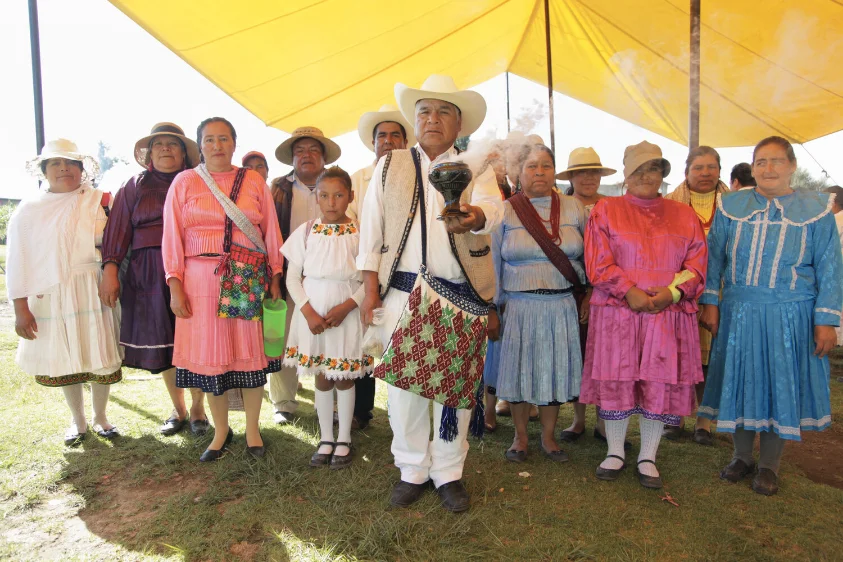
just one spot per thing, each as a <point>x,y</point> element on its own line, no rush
<point>638,362</point>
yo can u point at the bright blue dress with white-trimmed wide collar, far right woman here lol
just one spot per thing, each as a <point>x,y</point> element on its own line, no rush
<point>780,266</point>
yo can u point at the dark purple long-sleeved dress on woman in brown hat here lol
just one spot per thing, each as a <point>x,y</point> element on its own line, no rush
<point>137,223</point>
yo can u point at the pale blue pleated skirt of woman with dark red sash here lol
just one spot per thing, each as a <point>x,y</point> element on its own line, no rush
<point>538,356</point>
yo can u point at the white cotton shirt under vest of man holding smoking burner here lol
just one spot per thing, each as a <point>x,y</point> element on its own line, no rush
<point>440,260</point>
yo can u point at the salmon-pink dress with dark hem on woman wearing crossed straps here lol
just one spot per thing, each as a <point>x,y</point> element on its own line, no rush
<point>212,353</point>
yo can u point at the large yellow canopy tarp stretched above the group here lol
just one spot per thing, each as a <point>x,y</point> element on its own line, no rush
<point>768,67</point>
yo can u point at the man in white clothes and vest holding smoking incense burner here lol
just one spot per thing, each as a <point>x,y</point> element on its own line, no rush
<point>458,255</point>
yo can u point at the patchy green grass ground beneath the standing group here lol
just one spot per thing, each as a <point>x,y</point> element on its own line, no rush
<point>146,497</point>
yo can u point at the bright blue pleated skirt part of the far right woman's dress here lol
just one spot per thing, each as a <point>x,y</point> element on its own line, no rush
<point>763,374</point>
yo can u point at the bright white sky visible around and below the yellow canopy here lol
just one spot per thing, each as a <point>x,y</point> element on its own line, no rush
<point>104,78</point>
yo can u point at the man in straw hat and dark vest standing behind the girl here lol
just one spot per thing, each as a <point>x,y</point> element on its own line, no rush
<point>307,151</point>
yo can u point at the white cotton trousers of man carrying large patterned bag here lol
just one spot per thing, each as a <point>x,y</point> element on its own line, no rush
<point>417,456</point>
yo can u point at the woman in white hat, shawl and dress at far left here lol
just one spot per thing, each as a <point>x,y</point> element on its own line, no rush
<point>68,337</point>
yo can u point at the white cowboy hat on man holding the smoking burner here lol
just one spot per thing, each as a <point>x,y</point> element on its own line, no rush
<point>439,87</point>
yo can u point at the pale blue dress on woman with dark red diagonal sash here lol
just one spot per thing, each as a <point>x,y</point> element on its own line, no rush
<point>537,358</point>
